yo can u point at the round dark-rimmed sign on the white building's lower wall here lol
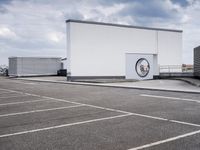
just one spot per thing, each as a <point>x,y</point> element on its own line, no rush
<point>142,67</point>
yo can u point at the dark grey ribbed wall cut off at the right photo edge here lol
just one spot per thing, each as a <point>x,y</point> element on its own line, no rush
<point>197,61</point>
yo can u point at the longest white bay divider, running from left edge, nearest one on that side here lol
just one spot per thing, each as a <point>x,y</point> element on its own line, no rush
<point>64,125</point>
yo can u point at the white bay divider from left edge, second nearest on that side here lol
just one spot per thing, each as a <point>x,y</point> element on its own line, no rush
<point>40,110</point>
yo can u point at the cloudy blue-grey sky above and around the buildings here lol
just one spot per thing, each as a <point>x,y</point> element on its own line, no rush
<point>37,27</point>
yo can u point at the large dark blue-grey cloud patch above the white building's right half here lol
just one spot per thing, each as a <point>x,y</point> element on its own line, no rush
<point>146,12</point>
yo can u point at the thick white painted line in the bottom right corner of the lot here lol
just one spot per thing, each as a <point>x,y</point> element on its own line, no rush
<point>166,140</point>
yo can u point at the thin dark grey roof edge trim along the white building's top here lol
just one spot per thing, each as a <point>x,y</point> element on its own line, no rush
<point>121,25</point>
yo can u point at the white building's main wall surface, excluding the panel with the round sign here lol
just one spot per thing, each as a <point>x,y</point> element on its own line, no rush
<point>99,50</point>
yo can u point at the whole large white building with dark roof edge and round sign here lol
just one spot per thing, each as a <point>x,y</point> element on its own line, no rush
<point>97,50</point>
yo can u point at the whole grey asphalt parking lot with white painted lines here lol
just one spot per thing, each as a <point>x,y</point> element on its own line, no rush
<point>38,115</point>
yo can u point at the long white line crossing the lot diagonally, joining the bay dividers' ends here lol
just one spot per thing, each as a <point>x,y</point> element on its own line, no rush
<point>117,110</point>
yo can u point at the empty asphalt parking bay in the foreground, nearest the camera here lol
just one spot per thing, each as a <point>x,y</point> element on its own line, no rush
<point>118,133</point>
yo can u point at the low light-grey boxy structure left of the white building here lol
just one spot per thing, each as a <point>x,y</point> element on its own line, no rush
<point>33,66</point>
